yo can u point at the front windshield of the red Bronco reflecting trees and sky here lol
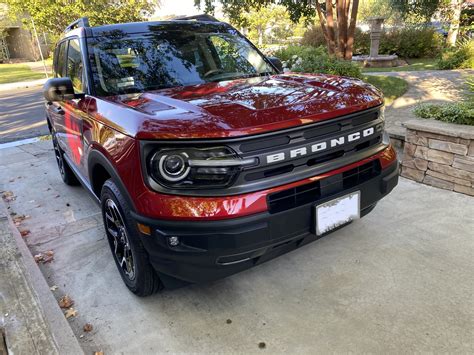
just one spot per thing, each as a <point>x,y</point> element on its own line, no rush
<point>168,58</point>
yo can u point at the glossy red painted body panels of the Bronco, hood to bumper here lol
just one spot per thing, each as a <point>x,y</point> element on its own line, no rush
<point>115,124</point>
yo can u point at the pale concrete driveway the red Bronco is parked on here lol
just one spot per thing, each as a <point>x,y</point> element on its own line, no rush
<point>399,280</point>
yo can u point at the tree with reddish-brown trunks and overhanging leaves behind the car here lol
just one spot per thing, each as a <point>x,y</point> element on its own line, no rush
<point>337,18</point>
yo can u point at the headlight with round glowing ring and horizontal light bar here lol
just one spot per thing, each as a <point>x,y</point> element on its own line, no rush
<point>189,168</point>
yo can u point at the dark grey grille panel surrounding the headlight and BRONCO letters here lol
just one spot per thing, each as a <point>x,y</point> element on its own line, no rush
<point>264,175</point>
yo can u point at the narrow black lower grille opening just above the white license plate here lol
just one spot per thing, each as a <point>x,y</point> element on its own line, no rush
<point>312,192</point>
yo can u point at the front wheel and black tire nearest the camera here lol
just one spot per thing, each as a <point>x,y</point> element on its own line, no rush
<point>127,249</point>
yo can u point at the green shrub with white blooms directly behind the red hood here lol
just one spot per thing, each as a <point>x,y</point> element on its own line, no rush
<point>315,60</point>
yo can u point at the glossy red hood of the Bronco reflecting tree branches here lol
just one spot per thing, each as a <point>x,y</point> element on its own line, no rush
<point>244,106</point>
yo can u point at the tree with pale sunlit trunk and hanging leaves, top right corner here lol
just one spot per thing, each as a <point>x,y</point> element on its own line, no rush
<point>425,9</point>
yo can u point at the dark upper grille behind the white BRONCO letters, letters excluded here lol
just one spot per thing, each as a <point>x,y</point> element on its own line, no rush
<point>305,137</point>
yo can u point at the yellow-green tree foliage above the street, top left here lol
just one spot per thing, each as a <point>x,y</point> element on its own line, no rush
<point>52,16</point>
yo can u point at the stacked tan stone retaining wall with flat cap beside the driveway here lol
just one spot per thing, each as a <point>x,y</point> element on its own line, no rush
<point>440,154</point>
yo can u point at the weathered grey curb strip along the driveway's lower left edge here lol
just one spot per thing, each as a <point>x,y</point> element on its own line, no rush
<point>61,335</point>
